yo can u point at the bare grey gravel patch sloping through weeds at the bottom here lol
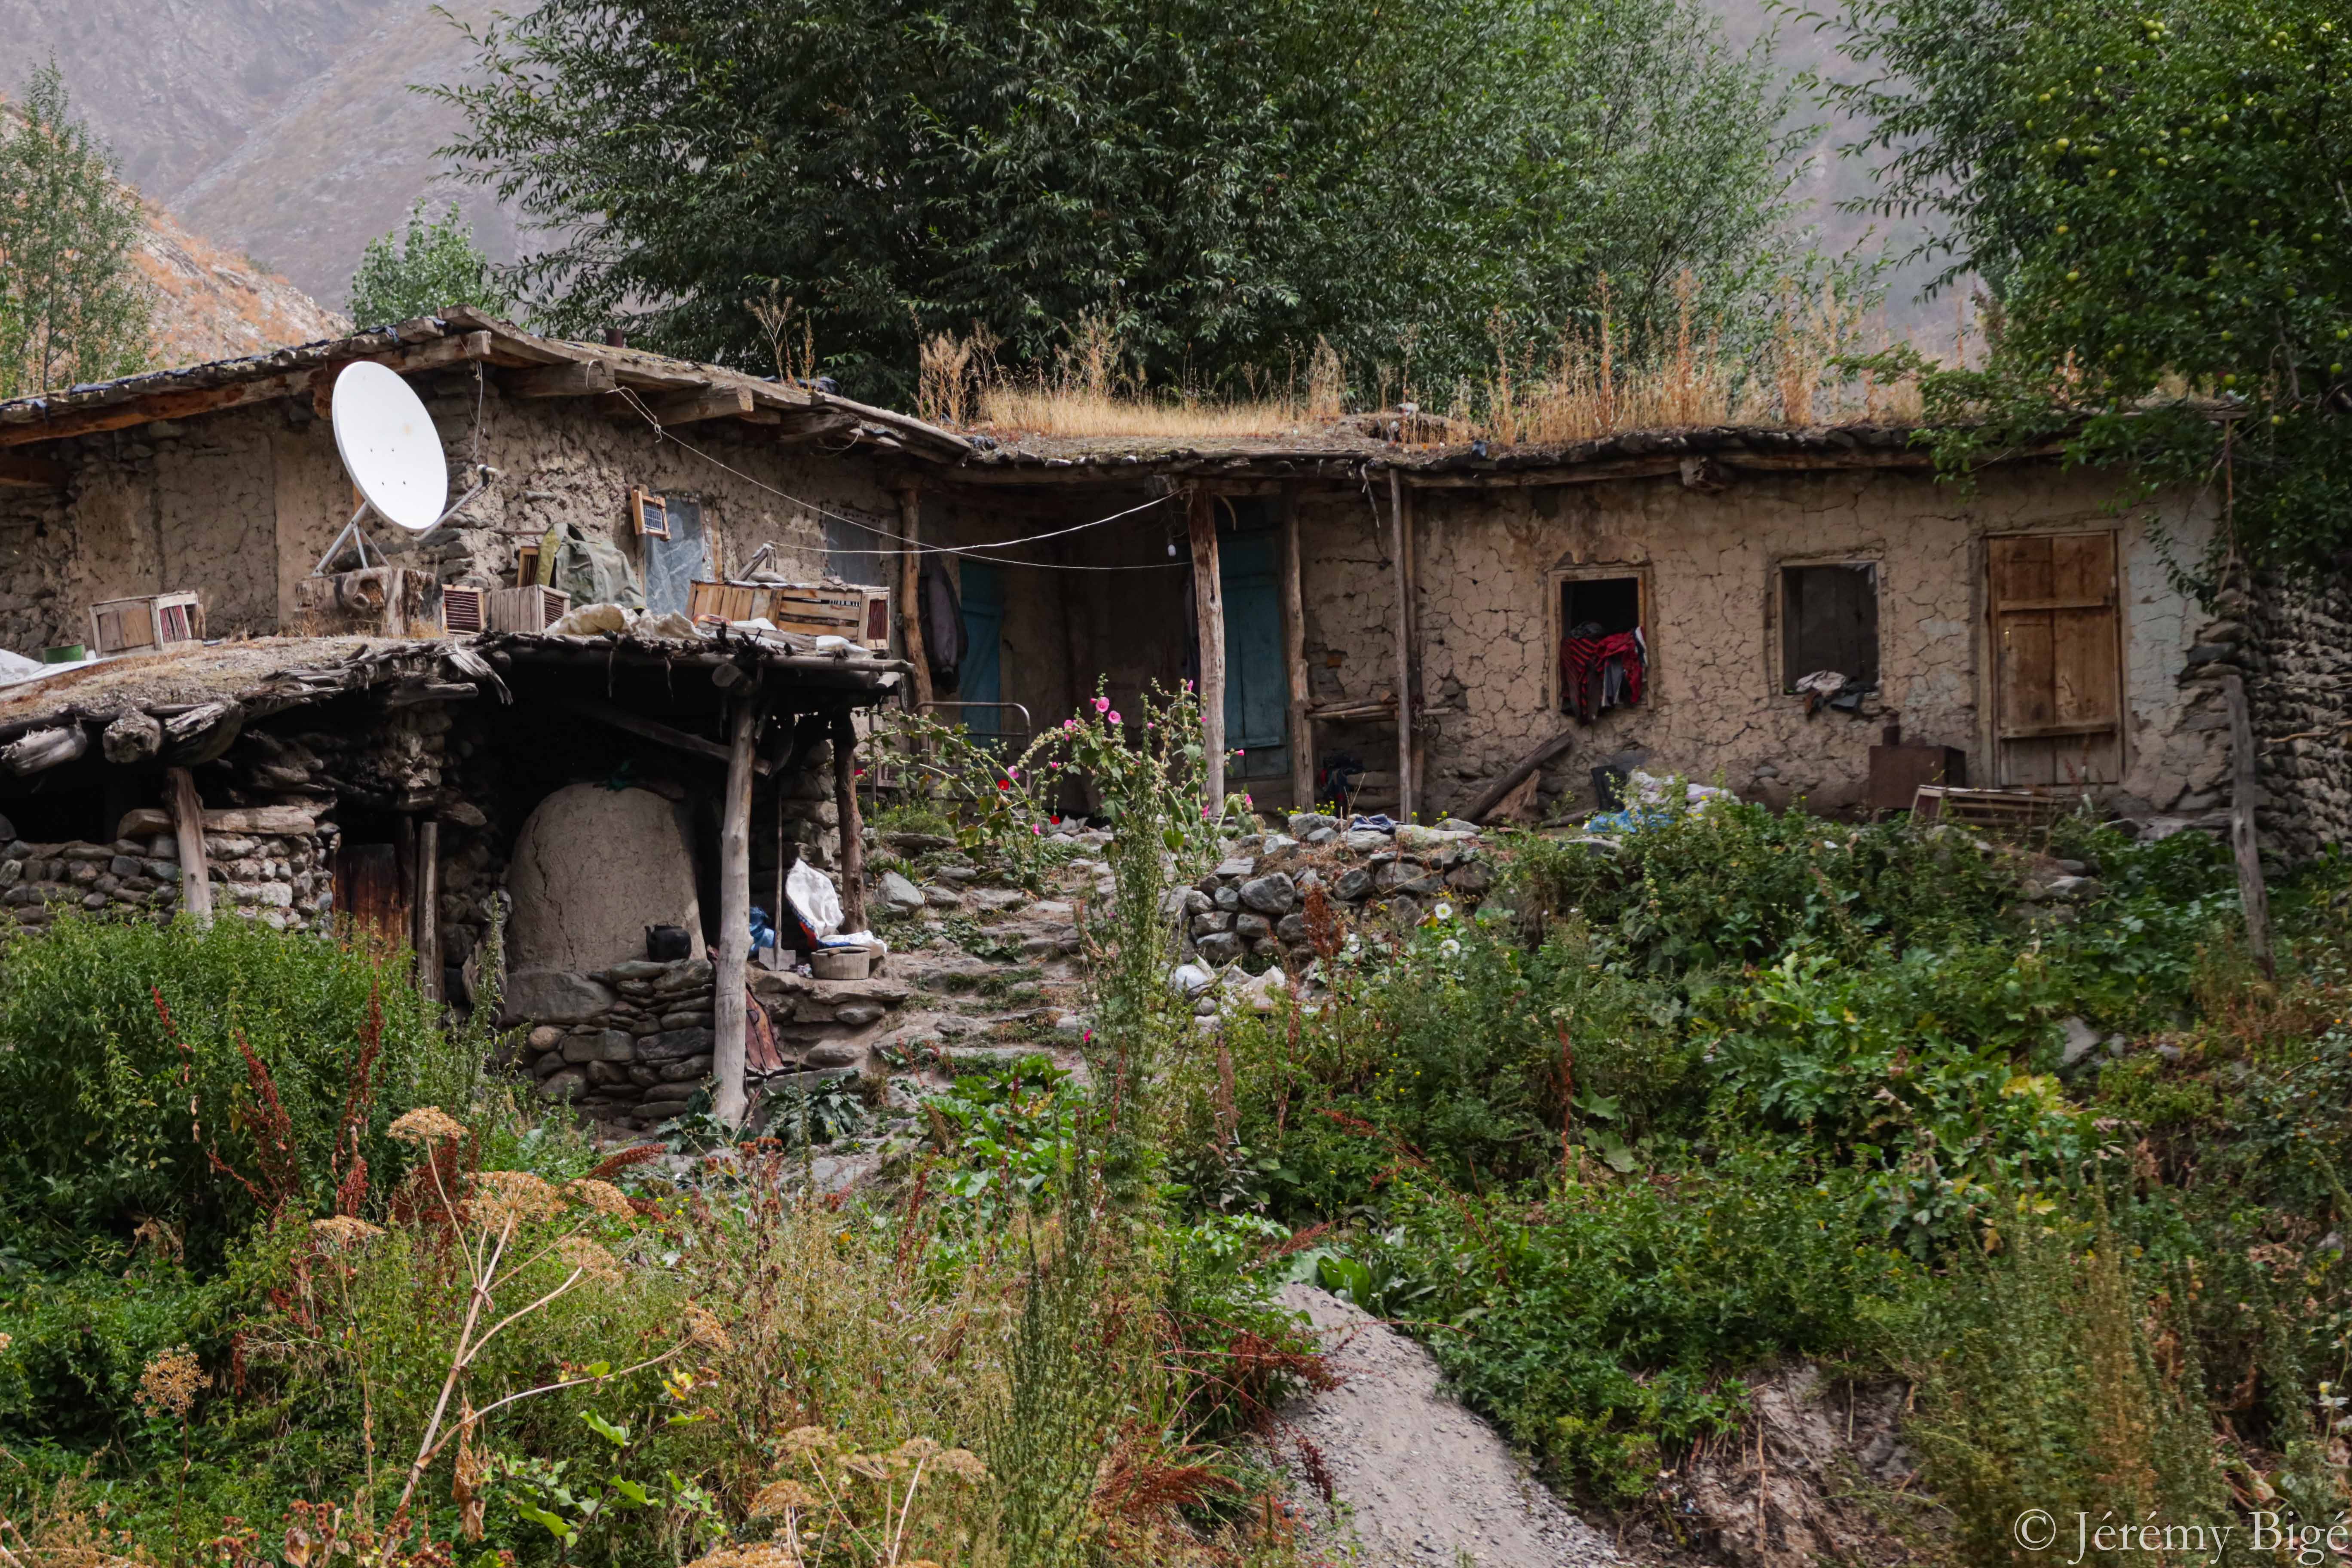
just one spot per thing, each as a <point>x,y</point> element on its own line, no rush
<point>1422,1482</point>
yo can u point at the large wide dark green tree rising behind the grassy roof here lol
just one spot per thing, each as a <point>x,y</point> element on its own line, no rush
<point>1220,182</point>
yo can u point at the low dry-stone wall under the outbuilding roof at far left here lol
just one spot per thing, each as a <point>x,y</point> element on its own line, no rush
<point>281,880</point>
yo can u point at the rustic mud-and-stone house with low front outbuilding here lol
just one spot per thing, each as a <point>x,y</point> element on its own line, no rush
<point>2024,636</point>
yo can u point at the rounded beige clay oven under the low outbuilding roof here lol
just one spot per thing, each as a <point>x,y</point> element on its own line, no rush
<point>592,871</point>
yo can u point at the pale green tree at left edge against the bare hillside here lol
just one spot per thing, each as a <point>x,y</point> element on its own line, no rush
<point>72,300</point>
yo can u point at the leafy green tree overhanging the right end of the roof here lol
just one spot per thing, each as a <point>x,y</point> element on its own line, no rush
<point>2156,196</point>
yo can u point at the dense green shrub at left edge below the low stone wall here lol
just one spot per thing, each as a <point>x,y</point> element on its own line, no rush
<point>109,1118</point>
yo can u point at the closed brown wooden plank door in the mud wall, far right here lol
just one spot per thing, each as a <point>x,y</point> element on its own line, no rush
<point>2057,659</point>
